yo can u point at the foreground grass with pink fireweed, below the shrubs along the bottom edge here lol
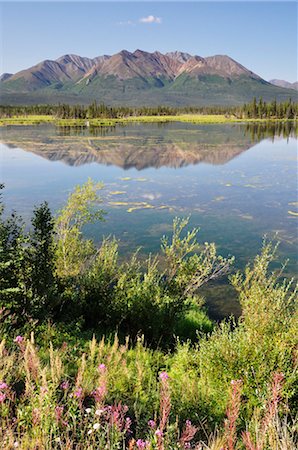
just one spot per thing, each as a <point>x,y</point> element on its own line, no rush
<point>107,395</point>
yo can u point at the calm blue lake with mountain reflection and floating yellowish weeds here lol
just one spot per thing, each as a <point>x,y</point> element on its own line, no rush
<point>237,183</point>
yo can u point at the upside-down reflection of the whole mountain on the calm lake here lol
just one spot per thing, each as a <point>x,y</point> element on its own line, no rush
<point>139,147</point>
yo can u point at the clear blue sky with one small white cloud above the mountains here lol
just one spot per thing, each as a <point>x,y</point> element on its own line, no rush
<point>260,35</point>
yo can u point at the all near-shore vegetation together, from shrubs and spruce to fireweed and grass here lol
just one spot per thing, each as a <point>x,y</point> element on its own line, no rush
<point>176,365</point>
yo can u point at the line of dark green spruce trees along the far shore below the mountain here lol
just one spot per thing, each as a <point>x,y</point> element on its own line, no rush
<point>257,109</point>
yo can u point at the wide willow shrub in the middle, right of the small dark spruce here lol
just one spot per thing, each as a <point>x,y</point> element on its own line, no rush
<point>158,299</point>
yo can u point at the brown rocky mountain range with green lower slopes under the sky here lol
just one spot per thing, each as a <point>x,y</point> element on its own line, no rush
<point>139,78</point>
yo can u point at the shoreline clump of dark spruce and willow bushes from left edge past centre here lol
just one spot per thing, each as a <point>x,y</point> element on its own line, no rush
<point>53,272</point>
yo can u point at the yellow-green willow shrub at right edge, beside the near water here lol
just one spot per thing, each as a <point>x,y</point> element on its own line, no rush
<point>263,342</point>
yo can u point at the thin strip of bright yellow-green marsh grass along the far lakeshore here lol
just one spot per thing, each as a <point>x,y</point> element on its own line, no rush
<point>102,122</point>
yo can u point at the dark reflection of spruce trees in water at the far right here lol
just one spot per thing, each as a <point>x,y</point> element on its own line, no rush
<point>259,131</point>
